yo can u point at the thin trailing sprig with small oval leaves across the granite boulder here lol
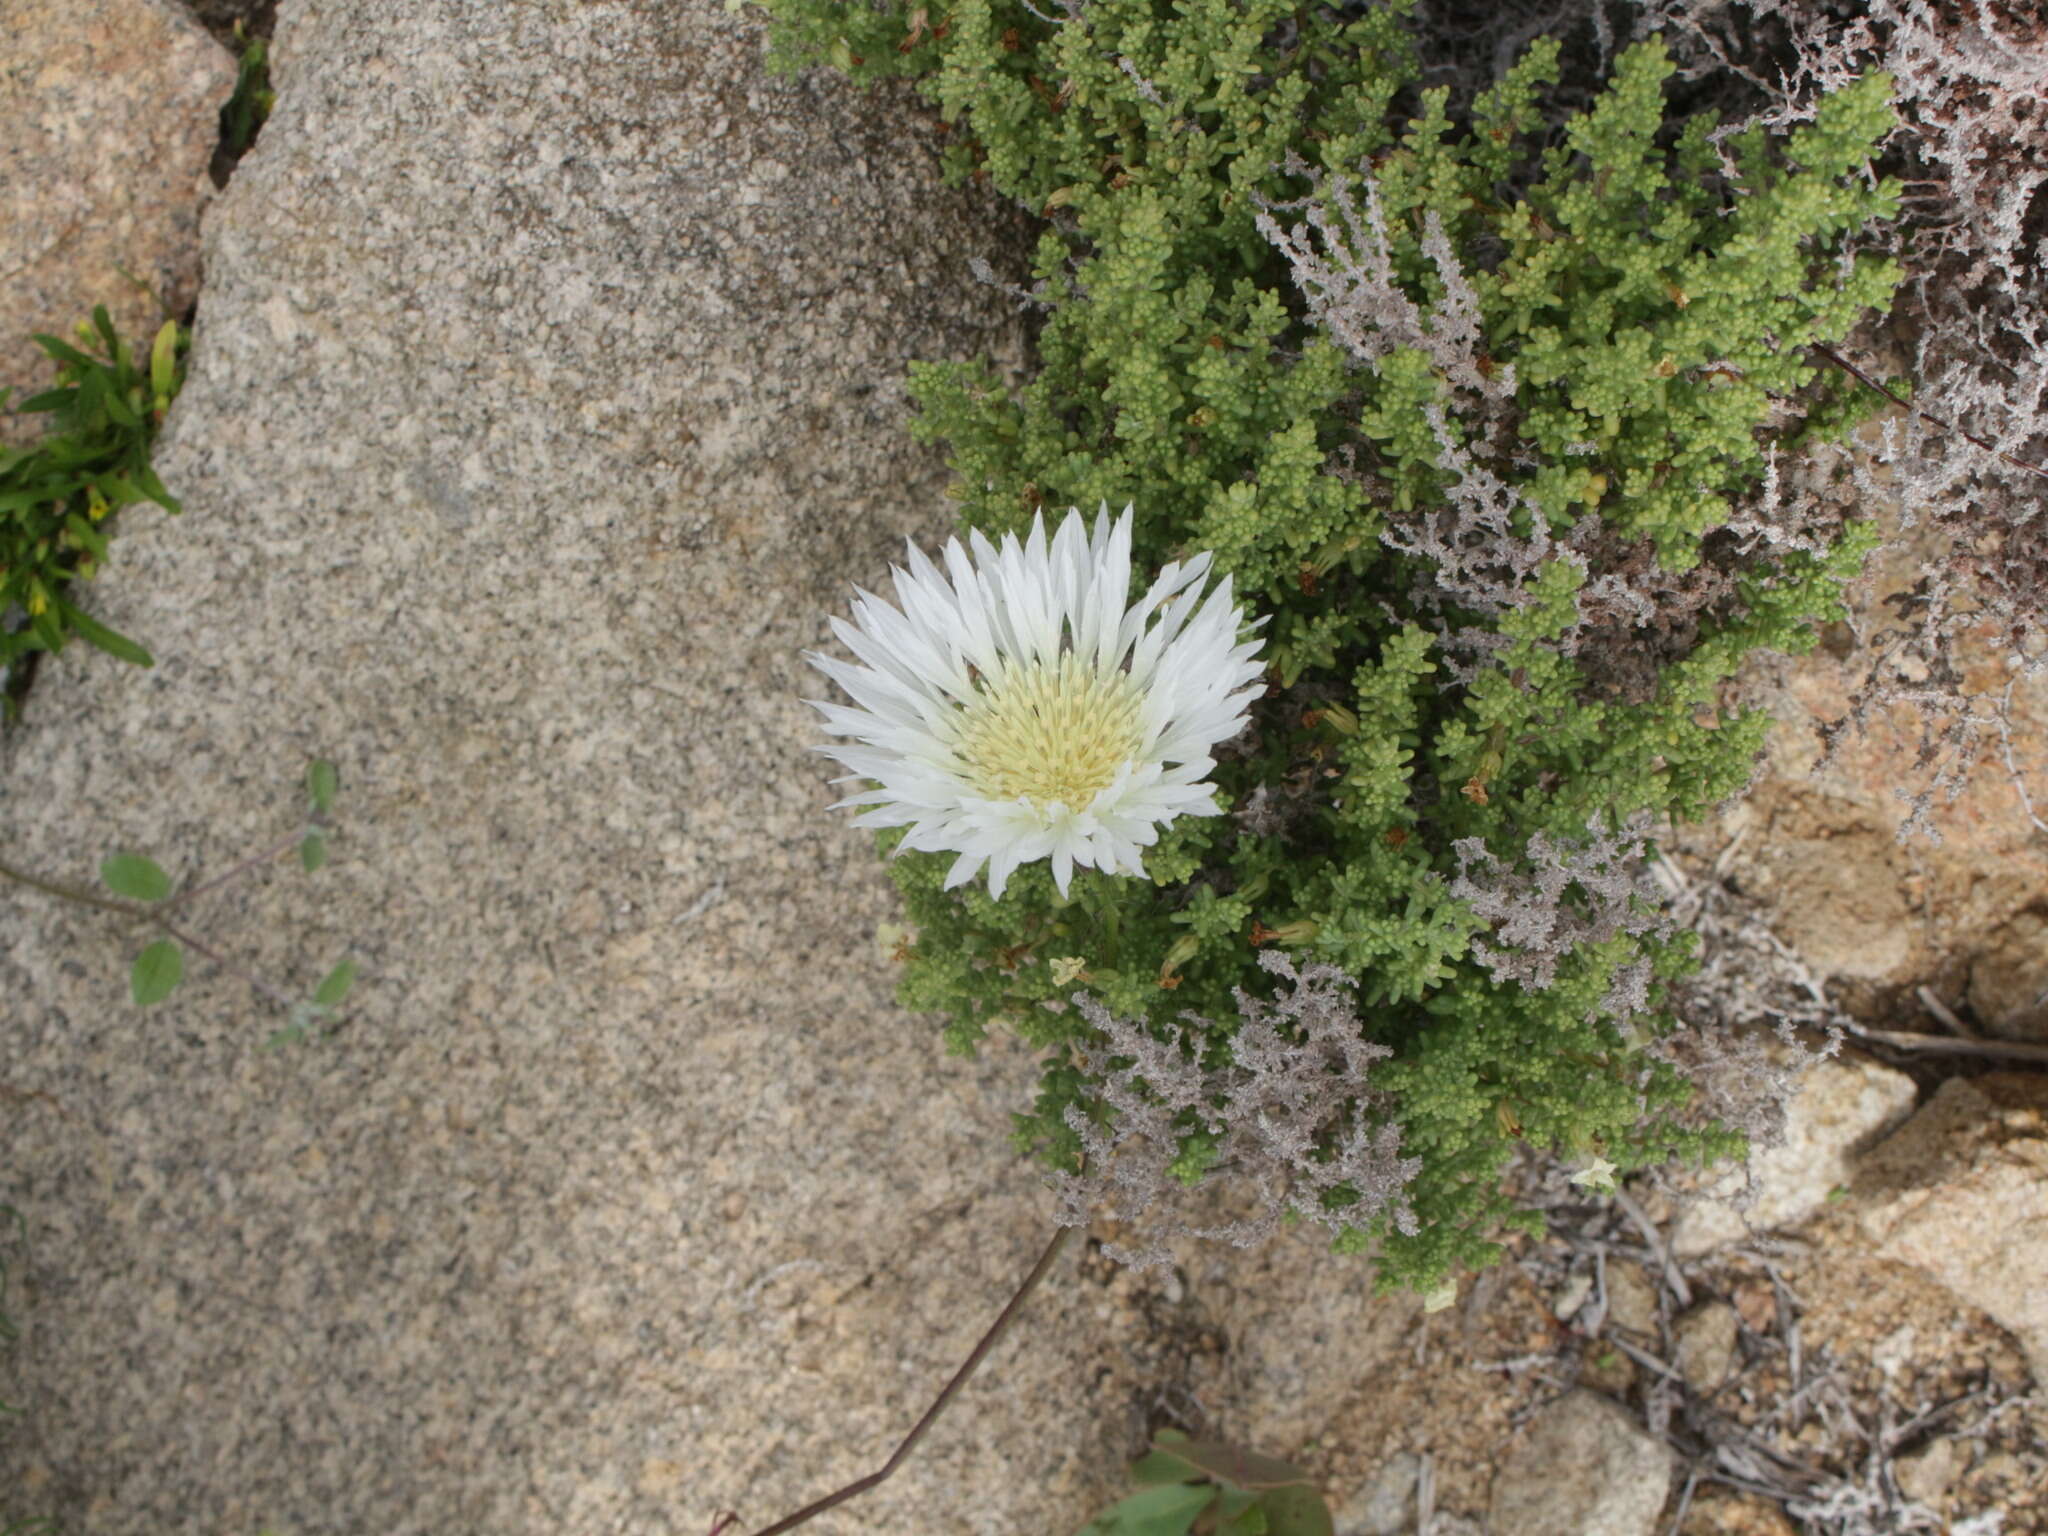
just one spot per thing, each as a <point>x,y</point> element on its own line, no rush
<point>146,896</point>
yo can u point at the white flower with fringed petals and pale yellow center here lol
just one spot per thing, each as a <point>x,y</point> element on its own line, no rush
<point>1019,706</point>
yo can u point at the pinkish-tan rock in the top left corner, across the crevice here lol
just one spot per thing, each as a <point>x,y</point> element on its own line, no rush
<point>112,116</point>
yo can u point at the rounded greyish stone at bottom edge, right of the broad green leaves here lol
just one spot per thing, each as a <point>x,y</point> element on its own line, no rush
<point>1584,1469</point>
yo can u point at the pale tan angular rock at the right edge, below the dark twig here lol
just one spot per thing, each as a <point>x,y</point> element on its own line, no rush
<point>1963,1193</point>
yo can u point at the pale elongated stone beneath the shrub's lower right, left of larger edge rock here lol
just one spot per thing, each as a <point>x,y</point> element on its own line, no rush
<point>1842,1107</point>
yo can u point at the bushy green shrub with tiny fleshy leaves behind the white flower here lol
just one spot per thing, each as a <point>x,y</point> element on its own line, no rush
<point>1478,417</point>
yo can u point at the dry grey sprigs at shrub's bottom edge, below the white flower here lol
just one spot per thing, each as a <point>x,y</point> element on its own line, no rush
<point>1291,1115</point>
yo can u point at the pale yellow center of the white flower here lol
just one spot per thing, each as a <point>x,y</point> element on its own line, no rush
<point>1050,732</point>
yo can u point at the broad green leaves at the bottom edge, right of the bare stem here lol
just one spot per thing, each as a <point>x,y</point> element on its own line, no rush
<point>1205,1488</point>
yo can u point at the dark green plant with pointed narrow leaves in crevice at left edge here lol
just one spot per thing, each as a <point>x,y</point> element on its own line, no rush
<point>58,497</point>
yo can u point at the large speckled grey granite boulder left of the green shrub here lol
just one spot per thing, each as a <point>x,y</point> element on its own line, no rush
<point>546,400</point>
